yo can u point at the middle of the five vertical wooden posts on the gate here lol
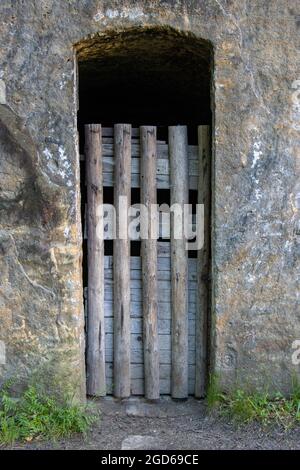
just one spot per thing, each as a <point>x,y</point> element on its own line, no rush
<point>149,263</point>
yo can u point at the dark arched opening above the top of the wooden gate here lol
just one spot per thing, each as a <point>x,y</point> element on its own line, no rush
<point>154,76</point>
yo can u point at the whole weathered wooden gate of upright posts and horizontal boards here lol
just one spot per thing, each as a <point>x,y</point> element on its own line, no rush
<point>146,314</point>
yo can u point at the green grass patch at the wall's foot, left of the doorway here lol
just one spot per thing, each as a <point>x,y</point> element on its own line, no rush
<point>38,416</point>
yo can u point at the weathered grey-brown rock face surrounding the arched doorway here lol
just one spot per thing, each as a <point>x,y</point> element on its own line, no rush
<point>255,225</point>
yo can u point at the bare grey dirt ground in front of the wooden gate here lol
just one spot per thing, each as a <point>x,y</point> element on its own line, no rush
<point>135,424</point>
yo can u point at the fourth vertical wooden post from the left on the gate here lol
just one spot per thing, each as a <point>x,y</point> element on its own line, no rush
<point>178,152</point>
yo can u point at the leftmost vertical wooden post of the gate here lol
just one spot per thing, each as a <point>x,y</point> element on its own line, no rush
<point>95,322</point>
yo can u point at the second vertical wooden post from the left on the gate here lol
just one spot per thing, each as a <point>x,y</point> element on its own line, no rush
<point>121,256</point>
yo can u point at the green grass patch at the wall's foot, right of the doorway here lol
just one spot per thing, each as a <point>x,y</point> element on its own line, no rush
<point>262,407</point>
